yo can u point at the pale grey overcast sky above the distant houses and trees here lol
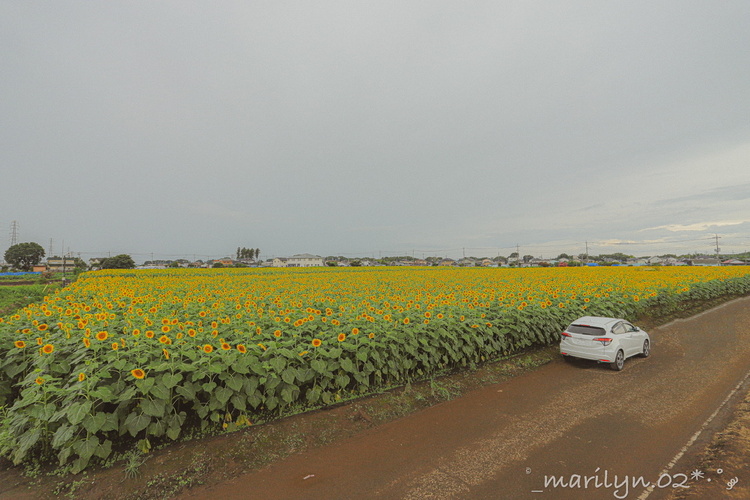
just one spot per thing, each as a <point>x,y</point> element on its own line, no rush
<point>184,129</point>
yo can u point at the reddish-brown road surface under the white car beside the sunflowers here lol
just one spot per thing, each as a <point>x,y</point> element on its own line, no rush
<point>564,431</point>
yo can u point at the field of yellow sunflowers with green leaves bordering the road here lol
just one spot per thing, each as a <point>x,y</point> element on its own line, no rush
<point>123,358</point>
